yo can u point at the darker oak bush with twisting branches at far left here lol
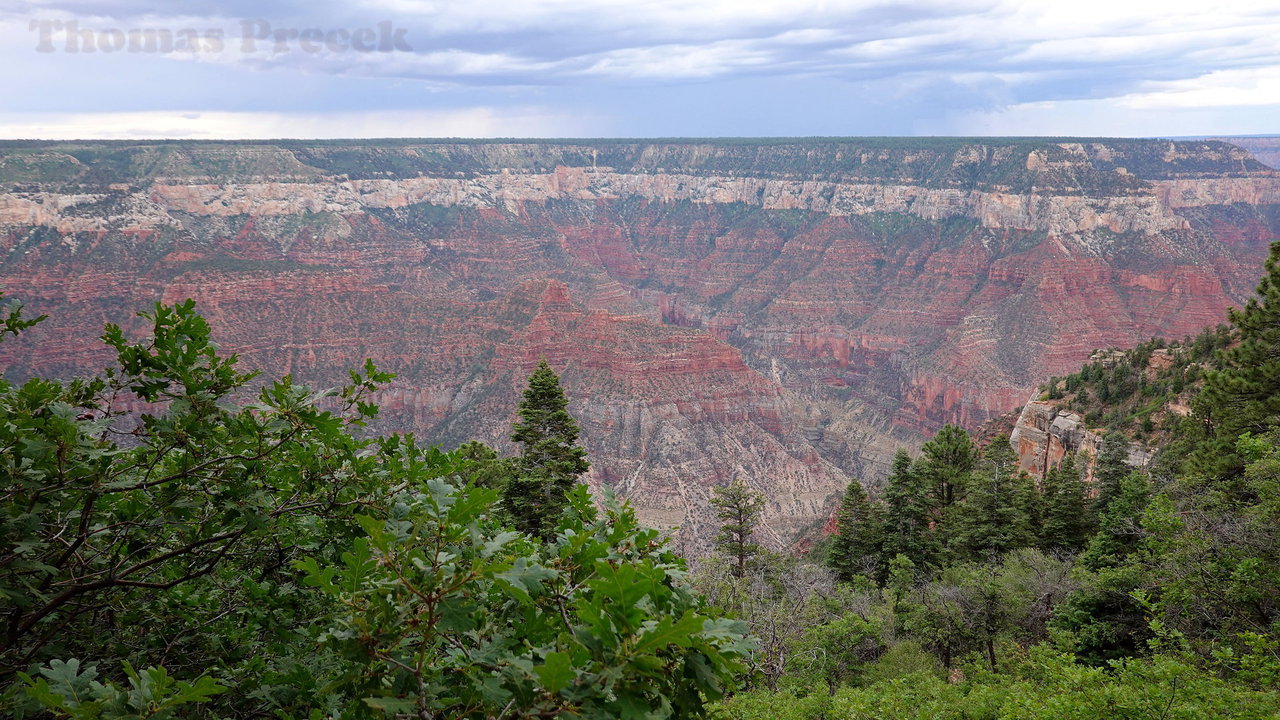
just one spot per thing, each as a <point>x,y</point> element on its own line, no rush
<point>113,522</point>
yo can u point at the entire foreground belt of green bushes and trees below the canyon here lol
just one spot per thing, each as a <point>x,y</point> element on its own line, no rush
<point>235,555</point>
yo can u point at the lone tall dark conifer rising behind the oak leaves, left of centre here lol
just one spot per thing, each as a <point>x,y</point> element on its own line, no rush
<point>551,462</point>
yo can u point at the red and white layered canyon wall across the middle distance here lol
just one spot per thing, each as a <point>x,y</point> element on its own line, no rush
<point>783,312</point>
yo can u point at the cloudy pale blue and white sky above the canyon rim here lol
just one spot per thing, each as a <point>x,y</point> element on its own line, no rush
<point>634,69</point>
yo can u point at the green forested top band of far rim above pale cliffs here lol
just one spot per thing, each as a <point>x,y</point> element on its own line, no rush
<point>1072,165</point>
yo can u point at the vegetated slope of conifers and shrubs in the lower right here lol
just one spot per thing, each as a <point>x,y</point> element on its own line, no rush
<point>966,591</point>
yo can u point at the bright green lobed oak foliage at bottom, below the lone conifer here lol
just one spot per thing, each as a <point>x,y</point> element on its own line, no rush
<point>446,613</point>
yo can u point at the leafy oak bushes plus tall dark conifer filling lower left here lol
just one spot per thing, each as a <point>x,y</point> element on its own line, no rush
<point>232,557</point>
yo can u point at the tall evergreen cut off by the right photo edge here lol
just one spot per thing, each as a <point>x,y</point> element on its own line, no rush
<point>1245,395</point>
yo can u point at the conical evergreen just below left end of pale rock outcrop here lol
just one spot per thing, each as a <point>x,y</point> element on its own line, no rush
<point>993,522</point>
